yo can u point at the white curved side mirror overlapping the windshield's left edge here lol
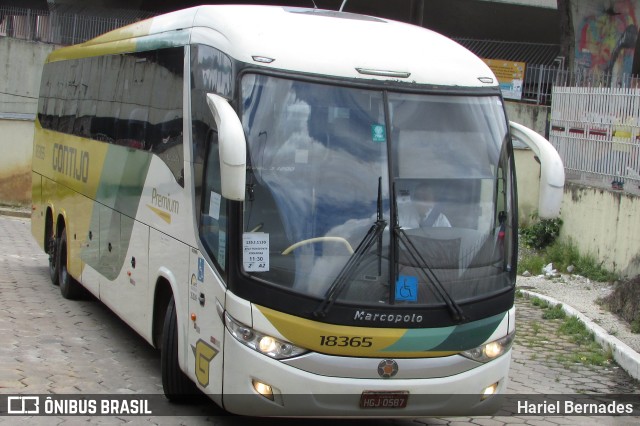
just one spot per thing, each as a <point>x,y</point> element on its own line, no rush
<point>233,148</point>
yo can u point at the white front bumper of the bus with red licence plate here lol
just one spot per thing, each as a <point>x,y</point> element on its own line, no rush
<point>256,385</point>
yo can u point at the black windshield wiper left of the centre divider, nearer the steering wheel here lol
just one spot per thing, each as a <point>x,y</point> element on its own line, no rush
<point>374,234</point>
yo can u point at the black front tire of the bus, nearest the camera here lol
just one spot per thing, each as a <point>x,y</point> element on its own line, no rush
<point>176,385</point>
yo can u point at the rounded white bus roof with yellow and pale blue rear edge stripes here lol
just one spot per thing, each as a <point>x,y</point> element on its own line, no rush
<point>312,41</point>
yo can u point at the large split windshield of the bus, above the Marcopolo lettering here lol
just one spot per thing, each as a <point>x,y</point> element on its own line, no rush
<point>378,196</point>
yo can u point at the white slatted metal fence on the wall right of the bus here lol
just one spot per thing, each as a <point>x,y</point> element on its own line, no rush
<point>596,131</point>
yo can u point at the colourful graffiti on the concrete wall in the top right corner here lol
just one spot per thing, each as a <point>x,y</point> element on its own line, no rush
<point>606,34</point>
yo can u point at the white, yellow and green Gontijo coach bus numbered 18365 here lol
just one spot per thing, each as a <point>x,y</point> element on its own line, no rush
<point>310,213</point>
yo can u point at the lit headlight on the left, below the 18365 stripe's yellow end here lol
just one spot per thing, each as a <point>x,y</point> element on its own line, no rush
<point>267,345</point>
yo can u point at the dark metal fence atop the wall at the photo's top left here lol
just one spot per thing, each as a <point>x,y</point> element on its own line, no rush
<point>53,27</point>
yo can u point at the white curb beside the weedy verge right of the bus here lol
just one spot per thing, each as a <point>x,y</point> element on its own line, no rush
<point>626,357</point>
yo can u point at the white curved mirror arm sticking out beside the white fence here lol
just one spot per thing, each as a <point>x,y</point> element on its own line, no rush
<point>551,170</point>
